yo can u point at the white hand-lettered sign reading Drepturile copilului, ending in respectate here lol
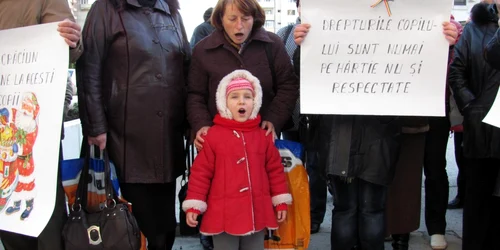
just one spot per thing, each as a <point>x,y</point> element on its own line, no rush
<point>356,59</point>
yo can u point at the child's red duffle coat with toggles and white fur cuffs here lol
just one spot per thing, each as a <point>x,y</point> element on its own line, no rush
<point>237,179</point>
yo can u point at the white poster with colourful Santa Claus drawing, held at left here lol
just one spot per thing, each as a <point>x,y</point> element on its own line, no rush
<point>33,74</point>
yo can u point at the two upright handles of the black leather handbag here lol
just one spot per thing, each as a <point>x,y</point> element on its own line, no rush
<point>81,191</point>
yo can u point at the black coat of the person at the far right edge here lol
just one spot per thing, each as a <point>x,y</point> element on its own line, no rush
<point>475,84</point>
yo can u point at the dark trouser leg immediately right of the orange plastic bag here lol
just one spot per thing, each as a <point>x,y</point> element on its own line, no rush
<point>317,190</point>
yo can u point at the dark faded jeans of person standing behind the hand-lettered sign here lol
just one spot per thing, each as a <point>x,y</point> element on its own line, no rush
<point>358,216</point>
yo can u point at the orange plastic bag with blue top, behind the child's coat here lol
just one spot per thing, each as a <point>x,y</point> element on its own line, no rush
<point>295,231</point>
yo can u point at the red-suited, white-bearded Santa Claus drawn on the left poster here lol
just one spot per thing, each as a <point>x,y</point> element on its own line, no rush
<point>25,124</point>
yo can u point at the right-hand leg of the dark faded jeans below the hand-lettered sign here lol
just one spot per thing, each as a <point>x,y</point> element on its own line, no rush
<point>371,215</point>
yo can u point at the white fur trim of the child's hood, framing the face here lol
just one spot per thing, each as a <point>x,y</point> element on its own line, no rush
<point>220,96</point>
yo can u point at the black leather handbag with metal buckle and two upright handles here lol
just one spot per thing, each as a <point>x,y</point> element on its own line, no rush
<point>112,228</point>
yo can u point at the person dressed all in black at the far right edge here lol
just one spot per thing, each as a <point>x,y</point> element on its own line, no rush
<point>475,86</point>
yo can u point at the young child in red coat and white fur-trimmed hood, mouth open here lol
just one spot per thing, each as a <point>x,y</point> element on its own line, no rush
<point>237,179</point>
